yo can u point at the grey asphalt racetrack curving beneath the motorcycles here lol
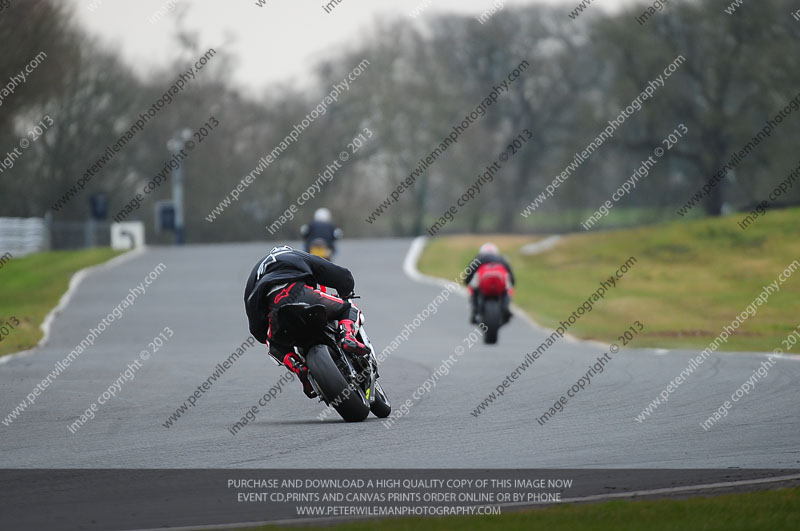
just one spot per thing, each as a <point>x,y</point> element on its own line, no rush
<point>199,297</point>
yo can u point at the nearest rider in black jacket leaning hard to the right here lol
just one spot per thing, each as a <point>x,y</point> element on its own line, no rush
<point>287,275</point>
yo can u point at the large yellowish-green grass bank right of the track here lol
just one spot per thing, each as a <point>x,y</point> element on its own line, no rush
<point>692,278</point>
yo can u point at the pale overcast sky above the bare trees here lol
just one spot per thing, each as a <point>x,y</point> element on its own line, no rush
<point>277,42</point>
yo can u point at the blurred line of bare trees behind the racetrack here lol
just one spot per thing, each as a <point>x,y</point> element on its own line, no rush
<point>420,77</point>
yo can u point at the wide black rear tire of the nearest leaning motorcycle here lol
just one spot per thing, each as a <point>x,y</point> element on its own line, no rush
<point>347,399</point>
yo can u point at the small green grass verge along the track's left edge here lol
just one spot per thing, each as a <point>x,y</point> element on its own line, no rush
<point>31,286</point>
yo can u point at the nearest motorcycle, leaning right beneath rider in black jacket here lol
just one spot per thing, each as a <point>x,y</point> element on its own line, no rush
<point>346,382</point>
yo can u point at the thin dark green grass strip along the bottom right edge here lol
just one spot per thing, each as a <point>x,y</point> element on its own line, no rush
<point>775,510</point>
